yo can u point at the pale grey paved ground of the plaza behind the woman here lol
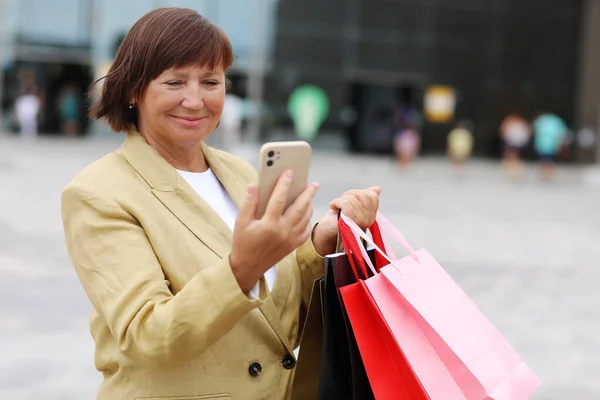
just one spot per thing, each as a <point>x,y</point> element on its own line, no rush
<point>526,252</point>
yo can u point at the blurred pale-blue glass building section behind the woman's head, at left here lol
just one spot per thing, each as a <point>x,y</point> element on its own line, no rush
<point>64,45</point>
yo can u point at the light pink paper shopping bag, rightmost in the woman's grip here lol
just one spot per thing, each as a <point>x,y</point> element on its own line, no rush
<point>453,349</point>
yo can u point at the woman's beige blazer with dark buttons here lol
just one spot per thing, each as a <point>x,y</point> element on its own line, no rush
<point>169,319</point>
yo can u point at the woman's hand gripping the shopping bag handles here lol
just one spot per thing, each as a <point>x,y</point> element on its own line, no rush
<point>359,205</point>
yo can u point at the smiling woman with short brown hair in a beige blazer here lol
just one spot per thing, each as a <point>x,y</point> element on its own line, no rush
<point>193,296</point>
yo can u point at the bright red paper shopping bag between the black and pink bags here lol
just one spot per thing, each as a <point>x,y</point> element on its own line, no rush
<point>389,373</point>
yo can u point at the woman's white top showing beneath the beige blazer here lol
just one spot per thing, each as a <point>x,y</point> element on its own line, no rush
<point>214,194</point>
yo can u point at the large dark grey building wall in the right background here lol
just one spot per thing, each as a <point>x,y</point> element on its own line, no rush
<point>500,54</point>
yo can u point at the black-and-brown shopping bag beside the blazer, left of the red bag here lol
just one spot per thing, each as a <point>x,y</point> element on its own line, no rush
<point>329,363</point>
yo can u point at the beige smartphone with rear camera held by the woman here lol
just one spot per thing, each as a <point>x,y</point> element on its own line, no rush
<point>275,158</point>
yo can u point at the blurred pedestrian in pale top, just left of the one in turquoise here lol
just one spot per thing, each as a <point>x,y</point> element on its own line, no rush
<point>516,133</point>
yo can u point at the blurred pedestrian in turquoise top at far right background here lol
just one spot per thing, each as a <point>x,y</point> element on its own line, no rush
<point>550,135</point>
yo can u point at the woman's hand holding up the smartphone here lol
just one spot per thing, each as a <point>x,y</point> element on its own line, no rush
<point>258,244</point>
